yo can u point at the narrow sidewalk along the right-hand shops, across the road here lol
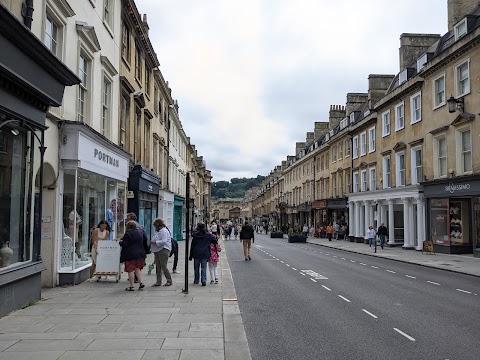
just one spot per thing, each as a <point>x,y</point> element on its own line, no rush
<point>465,264</point>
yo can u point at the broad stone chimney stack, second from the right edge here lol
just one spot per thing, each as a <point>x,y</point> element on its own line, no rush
<point>413,45</point>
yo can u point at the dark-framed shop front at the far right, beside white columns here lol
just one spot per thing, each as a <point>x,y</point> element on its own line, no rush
<point>453,208</point>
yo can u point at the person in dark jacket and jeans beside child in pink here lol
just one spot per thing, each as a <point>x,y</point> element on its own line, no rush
<point>200,253</point>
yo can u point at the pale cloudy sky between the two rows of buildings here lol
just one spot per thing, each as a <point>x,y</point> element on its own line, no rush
<point>252,76</point>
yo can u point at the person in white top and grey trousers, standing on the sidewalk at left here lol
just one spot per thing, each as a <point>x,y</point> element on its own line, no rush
<point>161,246</point>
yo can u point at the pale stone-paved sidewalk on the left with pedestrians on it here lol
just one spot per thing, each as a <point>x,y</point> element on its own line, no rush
<point>103,321</point>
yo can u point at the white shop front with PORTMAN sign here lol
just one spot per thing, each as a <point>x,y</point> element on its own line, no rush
<point>93,176</point>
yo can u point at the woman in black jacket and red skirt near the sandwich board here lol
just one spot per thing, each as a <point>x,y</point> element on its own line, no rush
<point>133,253</point>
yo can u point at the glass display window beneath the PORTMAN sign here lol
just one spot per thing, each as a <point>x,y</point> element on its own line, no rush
<point>88,198</point>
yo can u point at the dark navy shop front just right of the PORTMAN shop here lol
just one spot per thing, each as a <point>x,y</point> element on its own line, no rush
<point>145,185</point>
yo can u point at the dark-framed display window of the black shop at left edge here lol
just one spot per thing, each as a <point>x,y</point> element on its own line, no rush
<point>17,203</point>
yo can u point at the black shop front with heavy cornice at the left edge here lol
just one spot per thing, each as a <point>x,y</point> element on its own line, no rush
<point>31,80</point>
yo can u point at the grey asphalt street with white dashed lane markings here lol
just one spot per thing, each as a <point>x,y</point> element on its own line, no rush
<point>304,301</point>
